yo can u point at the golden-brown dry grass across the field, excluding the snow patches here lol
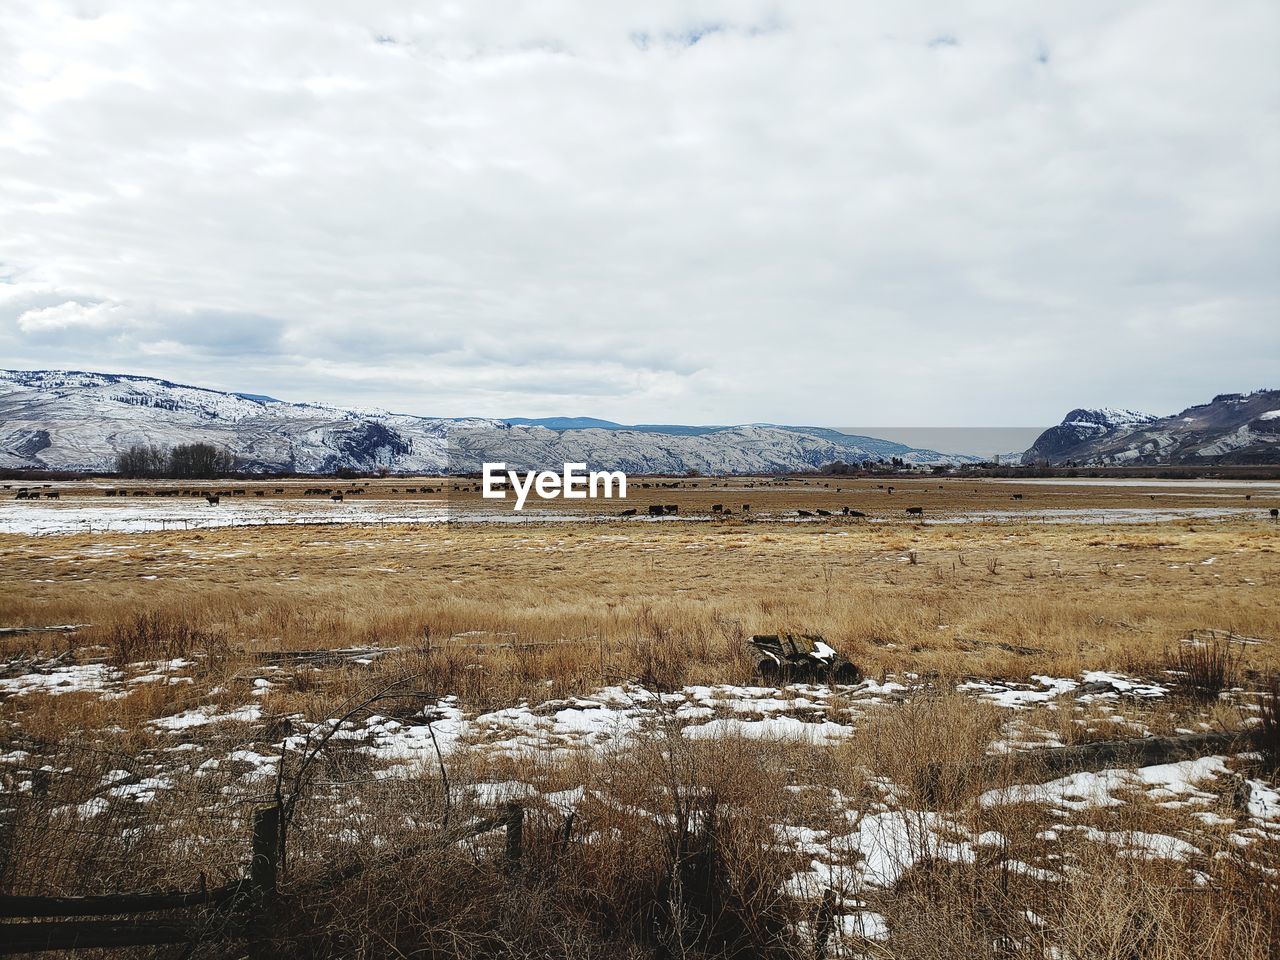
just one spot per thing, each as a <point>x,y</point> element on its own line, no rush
<point>673,851</point>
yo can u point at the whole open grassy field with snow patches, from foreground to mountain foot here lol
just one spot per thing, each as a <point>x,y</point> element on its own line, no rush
<point>598,674</point>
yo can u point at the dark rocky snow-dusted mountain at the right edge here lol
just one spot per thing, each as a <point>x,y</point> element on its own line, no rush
<point>1233,428</point>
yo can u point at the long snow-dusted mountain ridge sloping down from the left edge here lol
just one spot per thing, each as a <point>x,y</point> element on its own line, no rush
<point>71,420</point>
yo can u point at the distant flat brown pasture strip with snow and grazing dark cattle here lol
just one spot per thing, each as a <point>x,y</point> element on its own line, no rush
<point>134,506</point>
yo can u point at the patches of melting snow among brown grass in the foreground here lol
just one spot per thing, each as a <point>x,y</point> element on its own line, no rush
<point>860,847</point>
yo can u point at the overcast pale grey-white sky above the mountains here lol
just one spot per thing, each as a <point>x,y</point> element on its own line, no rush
<point>932,214</point>
